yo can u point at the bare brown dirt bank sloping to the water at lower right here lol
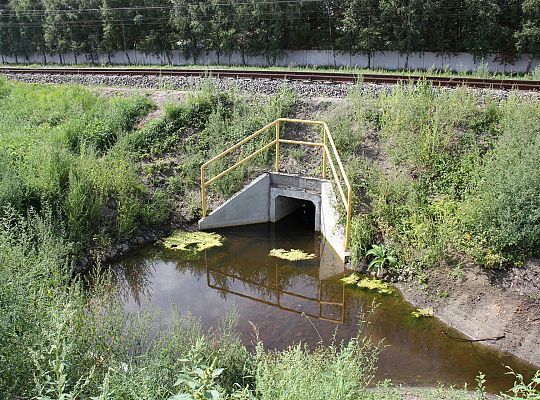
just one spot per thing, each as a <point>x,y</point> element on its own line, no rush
<point>499,308</point>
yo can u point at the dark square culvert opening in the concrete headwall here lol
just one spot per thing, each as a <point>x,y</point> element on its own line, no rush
<point>297,213</point>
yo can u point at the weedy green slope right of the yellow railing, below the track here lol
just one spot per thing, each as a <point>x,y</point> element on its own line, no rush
<point>458,178</point>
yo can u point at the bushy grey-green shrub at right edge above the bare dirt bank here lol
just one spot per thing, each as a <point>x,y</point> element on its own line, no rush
<point>505,209</point>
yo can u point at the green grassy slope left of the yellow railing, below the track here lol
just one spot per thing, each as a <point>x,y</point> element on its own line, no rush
<point>80,153</point>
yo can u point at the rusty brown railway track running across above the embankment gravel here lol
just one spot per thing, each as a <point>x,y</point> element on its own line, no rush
<point>303,76</point>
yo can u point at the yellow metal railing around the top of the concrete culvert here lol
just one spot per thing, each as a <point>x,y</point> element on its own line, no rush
<point>329,152</point>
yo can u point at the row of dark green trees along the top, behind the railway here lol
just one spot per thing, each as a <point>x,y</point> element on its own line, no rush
<point>268,27</point>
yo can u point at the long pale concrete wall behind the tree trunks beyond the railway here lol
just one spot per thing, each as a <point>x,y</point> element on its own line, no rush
<point>387,60</point>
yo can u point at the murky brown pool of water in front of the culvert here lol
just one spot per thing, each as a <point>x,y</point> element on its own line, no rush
<point>304,301</point>
